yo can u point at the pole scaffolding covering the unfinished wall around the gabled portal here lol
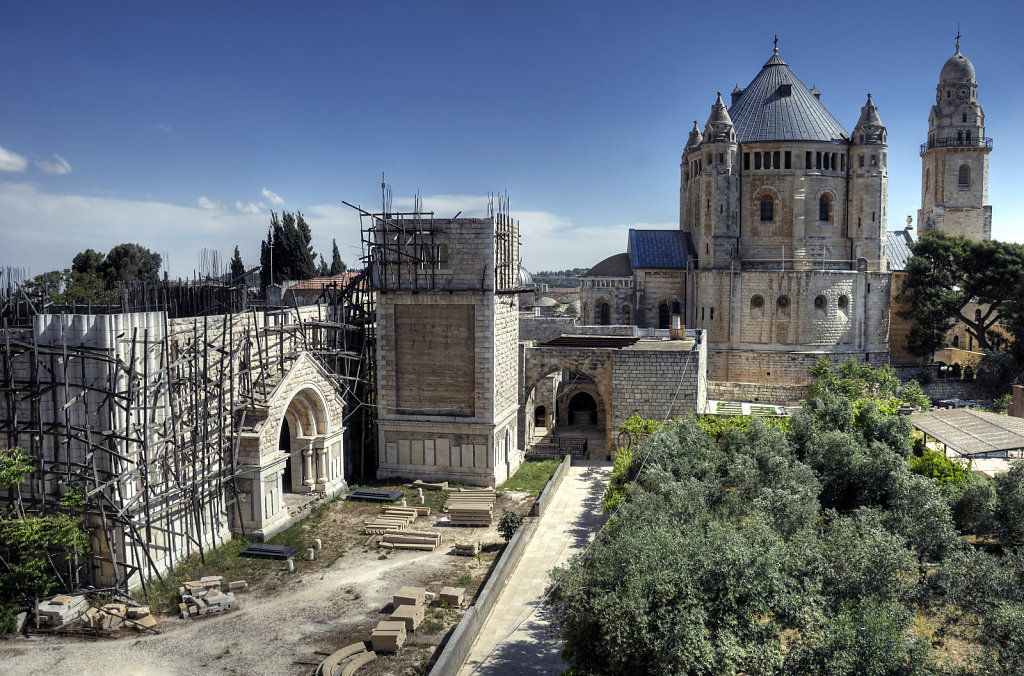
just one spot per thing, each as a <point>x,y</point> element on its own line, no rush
<point>145,411</point>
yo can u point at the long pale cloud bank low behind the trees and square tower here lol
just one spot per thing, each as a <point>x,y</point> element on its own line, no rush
<point>41,231</point>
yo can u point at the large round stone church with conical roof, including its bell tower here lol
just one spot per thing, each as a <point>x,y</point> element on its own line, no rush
<point>783,253</point>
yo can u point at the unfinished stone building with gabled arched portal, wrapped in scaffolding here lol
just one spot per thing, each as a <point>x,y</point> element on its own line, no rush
<point>181,431</point>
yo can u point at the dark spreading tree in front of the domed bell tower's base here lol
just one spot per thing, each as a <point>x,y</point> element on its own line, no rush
<point>946,275</point>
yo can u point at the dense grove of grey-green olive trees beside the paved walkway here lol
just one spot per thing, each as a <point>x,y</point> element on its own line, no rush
<point>835,544</point>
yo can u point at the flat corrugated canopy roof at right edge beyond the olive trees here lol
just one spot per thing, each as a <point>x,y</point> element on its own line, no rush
<point>969,432</point>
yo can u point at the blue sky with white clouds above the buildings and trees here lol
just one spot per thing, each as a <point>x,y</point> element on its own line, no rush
<point>182,125</point>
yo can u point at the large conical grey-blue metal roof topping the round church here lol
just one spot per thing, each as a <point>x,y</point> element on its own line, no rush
<point>777,106</point>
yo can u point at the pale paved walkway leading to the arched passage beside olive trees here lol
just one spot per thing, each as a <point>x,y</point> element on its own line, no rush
<point>516,640</point>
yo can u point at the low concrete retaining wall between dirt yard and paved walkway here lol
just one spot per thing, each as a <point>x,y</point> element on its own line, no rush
<point>461,642</point>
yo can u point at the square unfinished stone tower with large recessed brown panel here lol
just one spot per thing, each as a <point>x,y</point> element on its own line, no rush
<point>448,328</point>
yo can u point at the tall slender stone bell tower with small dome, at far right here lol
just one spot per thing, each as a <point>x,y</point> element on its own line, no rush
<point>955,160</point>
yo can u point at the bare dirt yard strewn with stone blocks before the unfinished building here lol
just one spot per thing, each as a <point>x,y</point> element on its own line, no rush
<point>288,623</point>
